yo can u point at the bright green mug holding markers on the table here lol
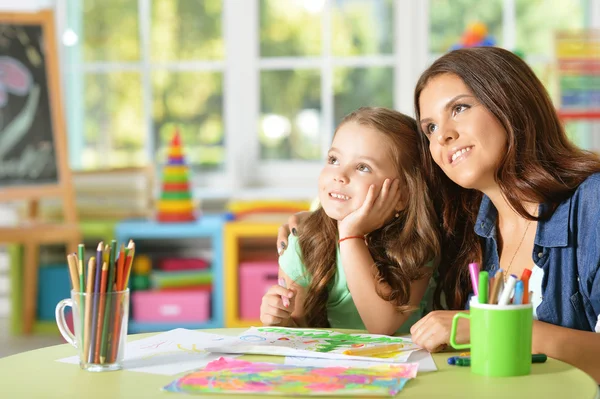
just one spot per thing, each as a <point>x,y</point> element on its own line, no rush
<point>500,339</point>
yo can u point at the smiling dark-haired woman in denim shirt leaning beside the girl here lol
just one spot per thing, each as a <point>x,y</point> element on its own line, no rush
<point>533,204</point>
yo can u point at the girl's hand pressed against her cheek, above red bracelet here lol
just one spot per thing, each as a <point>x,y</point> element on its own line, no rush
<point>374,212</point>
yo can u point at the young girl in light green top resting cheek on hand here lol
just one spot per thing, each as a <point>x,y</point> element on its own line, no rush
<point>364,259</point>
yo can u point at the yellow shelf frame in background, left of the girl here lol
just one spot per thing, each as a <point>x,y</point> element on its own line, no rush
<point>245,241</point>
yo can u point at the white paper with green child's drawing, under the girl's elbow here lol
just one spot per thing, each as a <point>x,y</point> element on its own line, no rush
<point>313,343</point>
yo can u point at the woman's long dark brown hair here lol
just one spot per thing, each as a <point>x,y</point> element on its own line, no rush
<point>540,165</point>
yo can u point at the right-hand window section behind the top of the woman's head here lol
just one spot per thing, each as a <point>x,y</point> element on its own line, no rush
<point>525,26</point>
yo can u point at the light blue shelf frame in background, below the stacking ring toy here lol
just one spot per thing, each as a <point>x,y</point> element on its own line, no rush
<point>208,231</point>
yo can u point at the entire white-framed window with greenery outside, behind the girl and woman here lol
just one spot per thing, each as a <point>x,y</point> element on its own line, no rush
<point>256,87</point>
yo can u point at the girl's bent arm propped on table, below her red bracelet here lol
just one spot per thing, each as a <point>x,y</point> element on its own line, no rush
<point>361,278</point>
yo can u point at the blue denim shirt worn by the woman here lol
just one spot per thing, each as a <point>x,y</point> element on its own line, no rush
<point>567,248</point>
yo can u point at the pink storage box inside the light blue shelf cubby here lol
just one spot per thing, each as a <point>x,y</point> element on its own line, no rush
<point>182,306</point>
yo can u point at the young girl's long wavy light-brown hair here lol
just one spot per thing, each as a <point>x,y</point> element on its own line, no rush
<point>400,248</point>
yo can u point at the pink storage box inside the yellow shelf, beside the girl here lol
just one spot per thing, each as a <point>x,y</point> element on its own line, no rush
<point>255,280</point>
